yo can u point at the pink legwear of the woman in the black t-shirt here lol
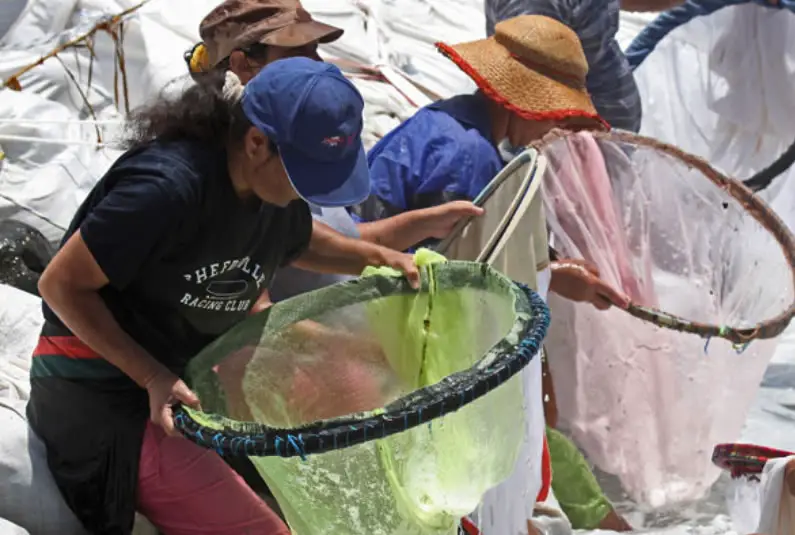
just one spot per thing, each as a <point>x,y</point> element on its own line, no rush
<point>184,489</point>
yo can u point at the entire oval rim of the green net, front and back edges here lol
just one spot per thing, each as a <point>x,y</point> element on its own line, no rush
<point>505,359</point>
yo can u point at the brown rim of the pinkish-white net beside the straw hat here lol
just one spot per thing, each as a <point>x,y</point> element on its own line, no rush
<point>752,204</point>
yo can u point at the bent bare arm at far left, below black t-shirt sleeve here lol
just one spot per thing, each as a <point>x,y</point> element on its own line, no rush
<point>70,286</point>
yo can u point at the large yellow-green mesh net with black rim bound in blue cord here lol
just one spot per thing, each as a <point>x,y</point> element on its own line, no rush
<point>372,408</point>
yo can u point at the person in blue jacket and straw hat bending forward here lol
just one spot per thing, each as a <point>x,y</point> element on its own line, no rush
<point>449,149</point>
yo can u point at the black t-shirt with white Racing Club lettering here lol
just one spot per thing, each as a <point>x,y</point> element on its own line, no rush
<point>185,256</point>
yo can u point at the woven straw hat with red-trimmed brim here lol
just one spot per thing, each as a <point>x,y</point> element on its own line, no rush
<point>534,66</point>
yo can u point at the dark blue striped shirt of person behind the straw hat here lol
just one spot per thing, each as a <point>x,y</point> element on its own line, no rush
<point>610,80</point>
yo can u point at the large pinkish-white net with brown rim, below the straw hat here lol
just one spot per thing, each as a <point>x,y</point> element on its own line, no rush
<point>709,270</point>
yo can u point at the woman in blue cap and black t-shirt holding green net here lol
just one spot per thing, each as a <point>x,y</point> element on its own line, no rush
<point>173,246</point>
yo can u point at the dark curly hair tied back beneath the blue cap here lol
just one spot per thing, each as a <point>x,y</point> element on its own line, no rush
<point>200,113</point>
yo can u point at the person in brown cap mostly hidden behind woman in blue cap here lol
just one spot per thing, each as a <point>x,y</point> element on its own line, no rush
<point>276,29</point>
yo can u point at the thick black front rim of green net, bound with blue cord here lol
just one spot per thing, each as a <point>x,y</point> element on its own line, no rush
<point>234,438</point>
